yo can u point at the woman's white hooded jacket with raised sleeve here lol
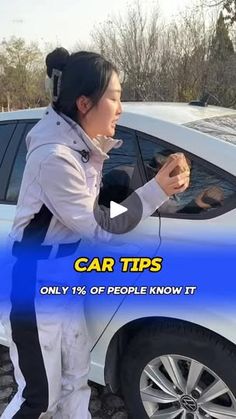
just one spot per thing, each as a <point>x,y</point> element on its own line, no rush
<point>56,176</point>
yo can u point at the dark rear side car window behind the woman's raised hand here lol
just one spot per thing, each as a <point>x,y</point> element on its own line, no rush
<point>209,189</point>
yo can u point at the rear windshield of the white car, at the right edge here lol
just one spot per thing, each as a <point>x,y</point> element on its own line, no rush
<point>223,127</point>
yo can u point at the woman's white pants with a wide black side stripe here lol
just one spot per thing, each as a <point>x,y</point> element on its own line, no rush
<point>51,357</point>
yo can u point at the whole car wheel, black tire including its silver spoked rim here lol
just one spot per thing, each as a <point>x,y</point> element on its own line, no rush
<point>173,353</point>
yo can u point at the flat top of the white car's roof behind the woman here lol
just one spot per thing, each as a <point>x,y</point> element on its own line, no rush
<point>177,113</point>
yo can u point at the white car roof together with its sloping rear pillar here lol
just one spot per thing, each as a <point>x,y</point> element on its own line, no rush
<point>167,121</point>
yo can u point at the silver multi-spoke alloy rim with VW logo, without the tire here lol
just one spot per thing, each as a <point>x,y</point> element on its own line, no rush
<point>177,387</point>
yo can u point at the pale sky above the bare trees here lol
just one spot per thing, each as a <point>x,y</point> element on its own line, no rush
<point>66,22</point>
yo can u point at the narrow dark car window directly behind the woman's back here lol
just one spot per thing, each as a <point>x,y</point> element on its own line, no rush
<point>18,169</point>
